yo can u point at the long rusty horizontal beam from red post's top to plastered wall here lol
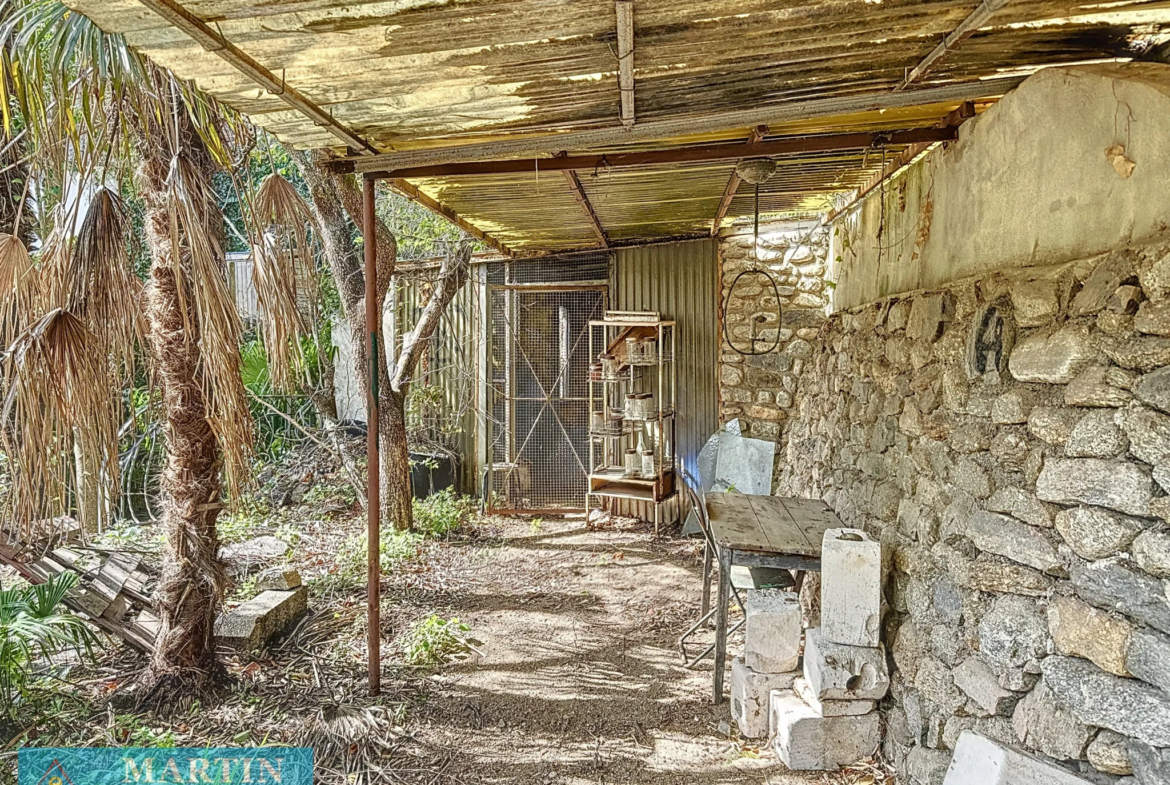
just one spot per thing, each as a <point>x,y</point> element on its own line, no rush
<point>780,147</point>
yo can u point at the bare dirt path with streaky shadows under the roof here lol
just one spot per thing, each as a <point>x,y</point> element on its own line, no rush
<point>577,677</point>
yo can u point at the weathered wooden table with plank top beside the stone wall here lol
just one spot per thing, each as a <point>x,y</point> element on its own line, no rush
<point>762,532</point>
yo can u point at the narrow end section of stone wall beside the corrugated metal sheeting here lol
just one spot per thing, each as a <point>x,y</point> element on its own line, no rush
<point>762,357</point>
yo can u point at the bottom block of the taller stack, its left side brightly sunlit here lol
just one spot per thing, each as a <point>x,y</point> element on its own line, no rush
<point>809,742</point>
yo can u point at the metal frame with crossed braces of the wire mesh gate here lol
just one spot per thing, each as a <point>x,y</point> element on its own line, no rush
<point>512,452</point>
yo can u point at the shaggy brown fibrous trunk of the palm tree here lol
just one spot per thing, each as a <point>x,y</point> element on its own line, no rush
<point>191,587</point>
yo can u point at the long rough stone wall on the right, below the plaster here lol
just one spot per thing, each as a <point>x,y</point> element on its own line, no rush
<point>1008,439</point>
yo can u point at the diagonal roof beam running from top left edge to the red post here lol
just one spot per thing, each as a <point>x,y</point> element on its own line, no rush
<point>214,42</point>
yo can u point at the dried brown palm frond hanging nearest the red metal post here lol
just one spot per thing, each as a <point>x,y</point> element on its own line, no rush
<point>285,277</point>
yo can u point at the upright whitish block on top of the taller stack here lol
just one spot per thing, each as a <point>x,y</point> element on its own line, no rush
<point>851,588</point>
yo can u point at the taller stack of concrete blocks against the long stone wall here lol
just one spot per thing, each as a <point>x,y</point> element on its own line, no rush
<point>830,720</point>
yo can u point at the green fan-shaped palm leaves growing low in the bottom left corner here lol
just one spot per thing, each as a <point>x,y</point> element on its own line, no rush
<point>32,624</point>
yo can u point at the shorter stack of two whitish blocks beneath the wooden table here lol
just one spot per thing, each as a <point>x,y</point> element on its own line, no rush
<point>772,655</point>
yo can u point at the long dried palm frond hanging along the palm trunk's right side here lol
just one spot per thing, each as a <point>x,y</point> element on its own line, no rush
<point>199,270</point>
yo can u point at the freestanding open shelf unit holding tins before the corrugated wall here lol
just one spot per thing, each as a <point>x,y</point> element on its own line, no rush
<point>653,431</point>
